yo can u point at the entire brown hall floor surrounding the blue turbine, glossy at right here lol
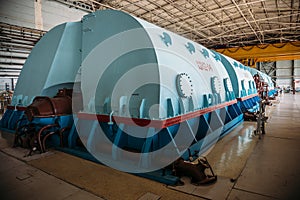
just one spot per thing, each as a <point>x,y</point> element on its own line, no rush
<point>247,168</point>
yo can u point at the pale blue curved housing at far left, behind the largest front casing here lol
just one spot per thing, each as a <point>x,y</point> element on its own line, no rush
<point>52,65</point>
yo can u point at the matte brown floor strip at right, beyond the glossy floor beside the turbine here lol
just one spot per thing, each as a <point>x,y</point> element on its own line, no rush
<point>273,169</point>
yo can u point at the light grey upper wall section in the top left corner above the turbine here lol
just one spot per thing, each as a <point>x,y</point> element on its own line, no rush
<point>27,13</point>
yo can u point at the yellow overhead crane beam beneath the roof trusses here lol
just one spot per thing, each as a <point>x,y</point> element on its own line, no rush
<point>249,55</point>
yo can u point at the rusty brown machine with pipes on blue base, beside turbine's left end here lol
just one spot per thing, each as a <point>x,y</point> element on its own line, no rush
<point>43,118</point>
